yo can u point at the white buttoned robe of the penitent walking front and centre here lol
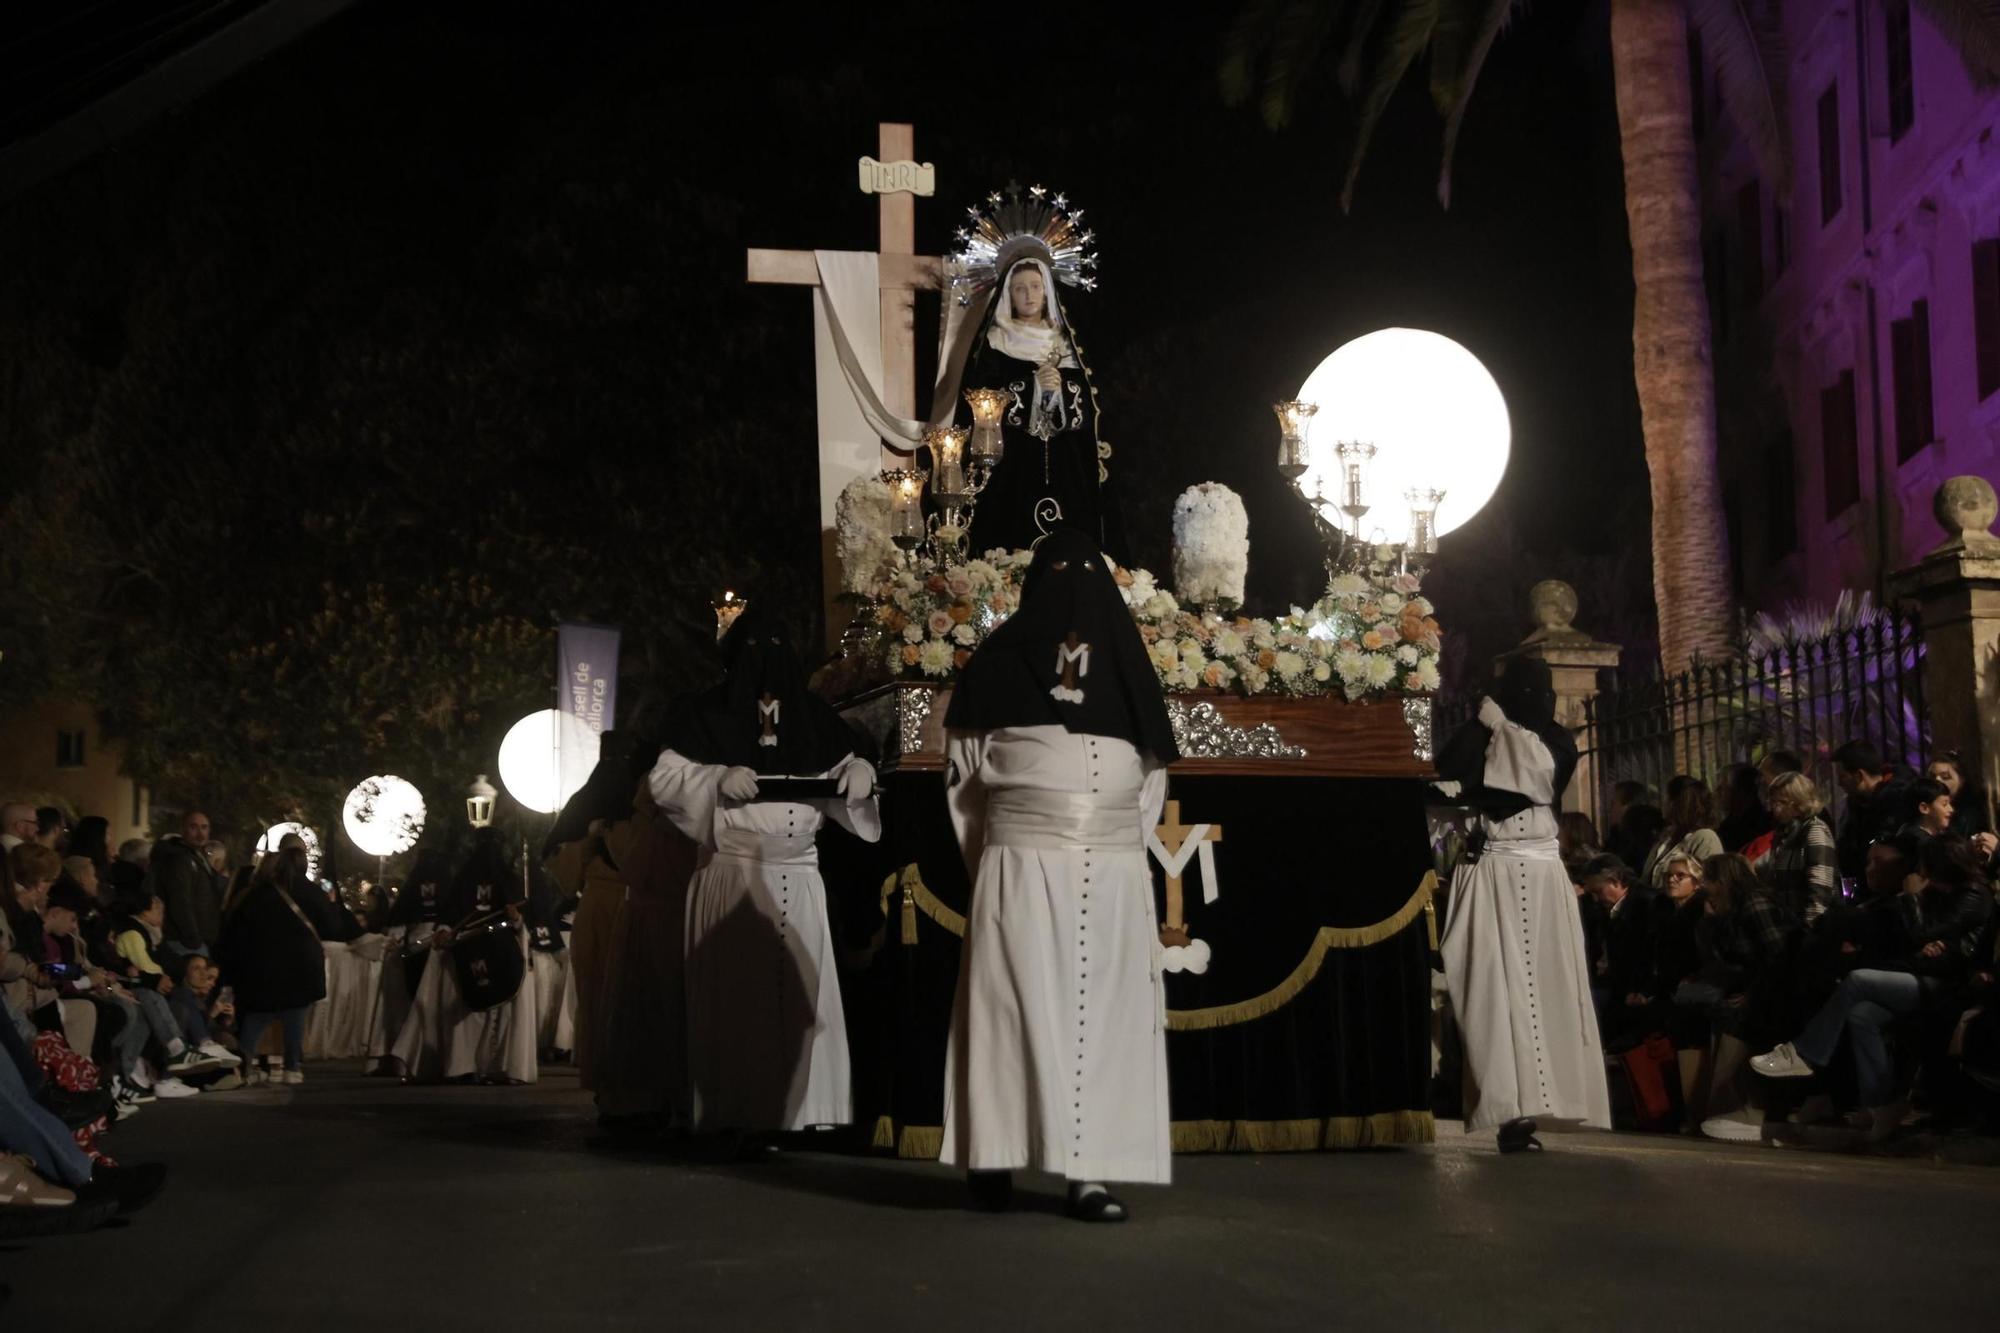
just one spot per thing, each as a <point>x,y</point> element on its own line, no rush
<point>1059,1030</point>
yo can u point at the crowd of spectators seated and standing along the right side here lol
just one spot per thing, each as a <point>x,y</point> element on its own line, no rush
<point>1753,962</point>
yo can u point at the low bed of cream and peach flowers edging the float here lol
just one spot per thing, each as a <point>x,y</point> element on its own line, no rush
<point>1369,635</point>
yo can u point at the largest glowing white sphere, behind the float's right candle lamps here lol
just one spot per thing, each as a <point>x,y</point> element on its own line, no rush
<point>1433,413</point>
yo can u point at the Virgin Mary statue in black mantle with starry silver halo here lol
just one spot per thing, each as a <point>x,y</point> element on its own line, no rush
<point>1013,257</point>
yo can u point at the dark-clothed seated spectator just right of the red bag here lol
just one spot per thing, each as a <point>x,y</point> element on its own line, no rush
<point>1743,988</point>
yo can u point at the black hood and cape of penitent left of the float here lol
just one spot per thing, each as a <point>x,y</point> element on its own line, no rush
<point>761,716</point>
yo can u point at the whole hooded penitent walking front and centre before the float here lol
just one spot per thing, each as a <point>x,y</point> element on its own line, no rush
<point>1059,744</point>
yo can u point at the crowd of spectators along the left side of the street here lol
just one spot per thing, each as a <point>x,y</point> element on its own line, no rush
<point>129,980</point>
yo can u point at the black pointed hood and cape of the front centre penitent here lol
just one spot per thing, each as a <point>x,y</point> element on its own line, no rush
<point>1071,655</point>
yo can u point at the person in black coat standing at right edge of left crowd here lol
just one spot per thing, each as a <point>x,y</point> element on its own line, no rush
<point>273,958</point>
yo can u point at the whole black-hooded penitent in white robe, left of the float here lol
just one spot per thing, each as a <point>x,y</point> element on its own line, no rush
<point>751,772</point>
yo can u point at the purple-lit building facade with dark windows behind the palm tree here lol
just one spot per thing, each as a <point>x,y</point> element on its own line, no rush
<point>1849,323</point>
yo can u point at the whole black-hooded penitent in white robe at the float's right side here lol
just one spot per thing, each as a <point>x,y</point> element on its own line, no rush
<point>1515,940</point>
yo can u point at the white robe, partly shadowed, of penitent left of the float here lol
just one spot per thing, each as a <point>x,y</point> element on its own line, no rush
<point>767,1032</point>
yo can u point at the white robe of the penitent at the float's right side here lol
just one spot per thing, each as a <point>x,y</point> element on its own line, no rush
<point>1515,960</point>
